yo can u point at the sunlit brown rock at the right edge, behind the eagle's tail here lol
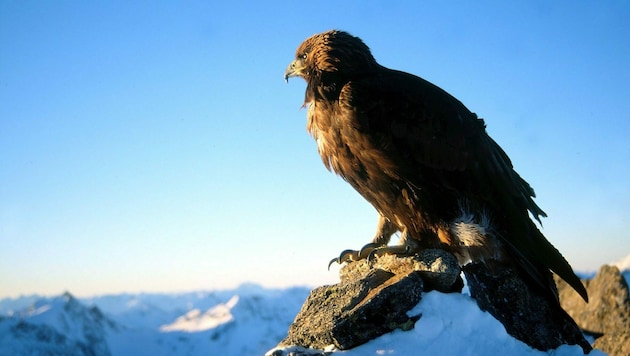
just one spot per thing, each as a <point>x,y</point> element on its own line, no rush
<point>607,313</point>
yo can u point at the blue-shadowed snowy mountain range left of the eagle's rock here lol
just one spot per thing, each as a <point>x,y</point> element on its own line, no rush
<point>248,320</point>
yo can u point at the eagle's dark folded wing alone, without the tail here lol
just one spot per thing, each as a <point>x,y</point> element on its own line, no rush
<point>427,131</point>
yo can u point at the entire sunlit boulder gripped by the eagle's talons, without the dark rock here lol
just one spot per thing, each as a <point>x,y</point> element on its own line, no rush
<point>369,301</point>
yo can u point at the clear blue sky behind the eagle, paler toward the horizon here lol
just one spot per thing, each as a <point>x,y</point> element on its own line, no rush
<point>154,146</point>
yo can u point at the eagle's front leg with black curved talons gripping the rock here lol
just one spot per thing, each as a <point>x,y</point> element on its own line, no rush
<point>384,231</point>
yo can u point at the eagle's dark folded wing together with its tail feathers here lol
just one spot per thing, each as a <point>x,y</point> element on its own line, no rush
<point>435,142</point>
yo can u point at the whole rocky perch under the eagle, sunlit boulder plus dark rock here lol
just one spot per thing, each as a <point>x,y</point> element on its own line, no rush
<point>374,298</point>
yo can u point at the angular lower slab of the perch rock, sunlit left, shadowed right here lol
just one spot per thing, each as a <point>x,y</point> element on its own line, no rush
<point>349,314</point>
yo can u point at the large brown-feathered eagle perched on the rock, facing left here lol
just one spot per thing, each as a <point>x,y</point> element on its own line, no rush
<point>423,160</point>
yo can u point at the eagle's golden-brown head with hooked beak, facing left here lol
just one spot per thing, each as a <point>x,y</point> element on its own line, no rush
<point>331,57</point>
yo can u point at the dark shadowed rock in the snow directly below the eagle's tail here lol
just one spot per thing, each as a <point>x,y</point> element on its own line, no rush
<point>526,315</point>
